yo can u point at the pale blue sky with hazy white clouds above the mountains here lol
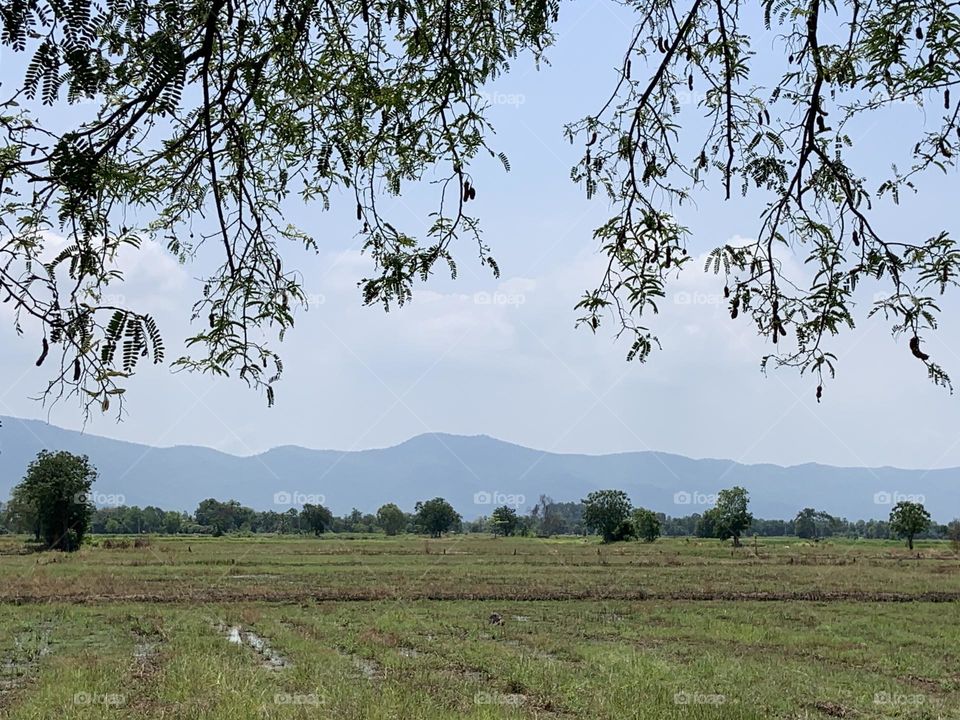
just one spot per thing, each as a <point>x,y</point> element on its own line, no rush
<point>502,357</point>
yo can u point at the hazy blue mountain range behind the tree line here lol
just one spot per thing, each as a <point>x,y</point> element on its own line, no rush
<point>474,473</point>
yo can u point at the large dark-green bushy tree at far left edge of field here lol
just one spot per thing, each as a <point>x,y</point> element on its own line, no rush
<point>57,489</point>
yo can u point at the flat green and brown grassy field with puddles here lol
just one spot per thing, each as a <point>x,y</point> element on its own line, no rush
<point>337,627</point>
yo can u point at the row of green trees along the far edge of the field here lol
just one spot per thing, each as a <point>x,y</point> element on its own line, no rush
<point>53,503</point>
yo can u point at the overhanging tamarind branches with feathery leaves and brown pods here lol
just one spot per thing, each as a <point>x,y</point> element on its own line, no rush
<point>203,116</point>
